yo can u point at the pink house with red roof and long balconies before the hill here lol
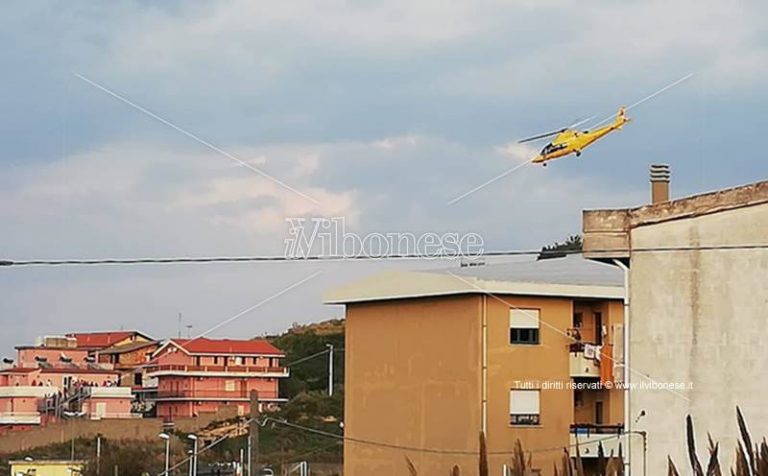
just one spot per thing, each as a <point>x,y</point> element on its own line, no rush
<point>195,376</point>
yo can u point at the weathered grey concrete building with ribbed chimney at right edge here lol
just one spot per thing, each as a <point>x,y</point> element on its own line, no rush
<point>698,281</point>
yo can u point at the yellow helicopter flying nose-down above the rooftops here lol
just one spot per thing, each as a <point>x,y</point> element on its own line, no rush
<point>569,140</point>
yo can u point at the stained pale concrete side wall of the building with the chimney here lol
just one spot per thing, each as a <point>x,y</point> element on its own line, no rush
<point>699,317</point>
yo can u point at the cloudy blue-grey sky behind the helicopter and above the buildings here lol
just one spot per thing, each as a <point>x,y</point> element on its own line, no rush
<point>380,111</point>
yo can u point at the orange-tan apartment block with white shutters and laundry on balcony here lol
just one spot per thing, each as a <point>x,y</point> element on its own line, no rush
<point>435,358</point>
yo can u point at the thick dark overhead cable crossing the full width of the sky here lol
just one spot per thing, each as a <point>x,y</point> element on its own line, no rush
<point>249,259</point>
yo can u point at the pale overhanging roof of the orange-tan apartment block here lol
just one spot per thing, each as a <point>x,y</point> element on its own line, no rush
<point>570,276</point>
